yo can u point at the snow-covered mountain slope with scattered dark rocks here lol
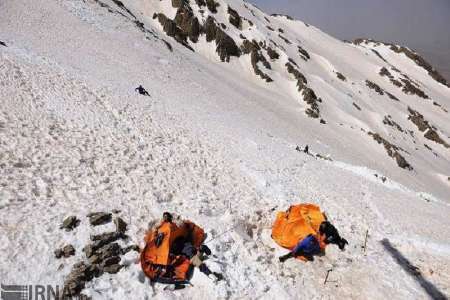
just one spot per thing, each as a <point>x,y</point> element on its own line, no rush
<point>216,143</point>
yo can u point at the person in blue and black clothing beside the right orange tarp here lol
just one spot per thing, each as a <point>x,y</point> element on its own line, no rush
<point>315,244</point>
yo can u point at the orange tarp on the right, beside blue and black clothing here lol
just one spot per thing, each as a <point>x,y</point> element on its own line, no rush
<point>296,223</point>
